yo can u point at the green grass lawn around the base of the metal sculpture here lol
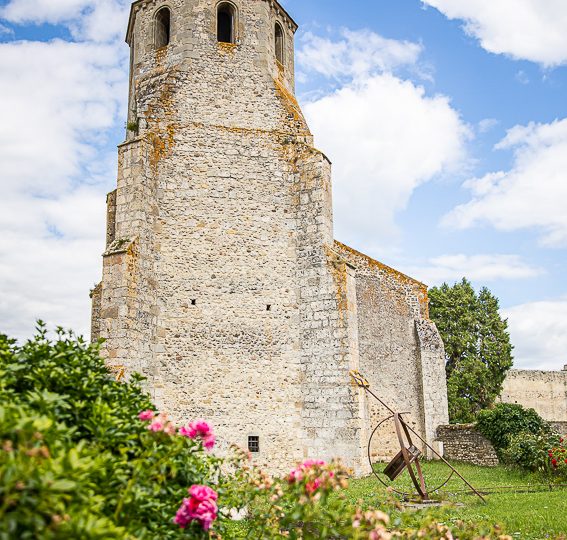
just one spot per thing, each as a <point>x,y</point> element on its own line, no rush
<point>524,515</point>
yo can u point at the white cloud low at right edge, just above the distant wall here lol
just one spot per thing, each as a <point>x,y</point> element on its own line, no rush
<point>539,334</point>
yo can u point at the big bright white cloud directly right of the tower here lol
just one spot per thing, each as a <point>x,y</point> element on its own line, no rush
<point>385,137</point>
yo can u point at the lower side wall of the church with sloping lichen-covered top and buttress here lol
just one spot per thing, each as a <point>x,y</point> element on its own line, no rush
<point>401,352</point>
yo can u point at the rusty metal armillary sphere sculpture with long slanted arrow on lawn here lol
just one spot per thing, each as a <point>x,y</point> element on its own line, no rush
<point>408,457</point>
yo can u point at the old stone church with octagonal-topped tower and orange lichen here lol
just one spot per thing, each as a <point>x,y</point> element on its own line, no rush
<point>222,281</point>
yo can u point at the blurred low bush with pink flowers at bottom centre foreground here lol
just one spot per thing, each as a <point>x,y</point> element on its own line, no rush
<point>310,503</point>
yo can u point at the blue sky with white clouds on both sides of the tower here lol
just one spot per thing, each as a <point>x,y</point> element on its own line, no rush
<point>446,121</point>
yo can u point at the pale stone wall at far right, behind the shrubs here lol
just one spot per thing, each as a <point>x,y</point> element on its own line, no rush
<point>544,391</point>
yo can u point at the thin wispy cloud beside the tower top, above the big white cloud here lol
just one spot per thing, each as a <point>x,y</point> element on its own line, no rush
<point>355,54</point>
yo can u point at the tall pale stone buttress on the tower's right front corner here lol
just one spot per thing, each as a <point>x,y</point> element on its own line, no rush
<point>330,415</point>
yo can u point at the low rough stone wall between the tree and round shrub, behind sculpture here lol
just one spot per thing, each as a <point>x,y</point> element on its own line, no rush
<point>462,442</point>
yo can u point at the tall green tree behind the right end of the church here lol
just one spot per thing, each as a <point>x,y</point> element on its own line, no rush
<point>477,347</point>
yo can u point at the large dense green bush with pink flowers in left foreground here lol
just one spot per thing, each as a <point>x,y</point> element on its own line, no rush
<point>79,460</point>
